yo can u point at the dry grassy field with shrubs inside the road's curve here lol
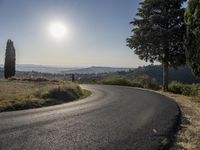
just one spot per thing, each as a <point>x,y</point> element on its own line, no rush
<point>17,94</point>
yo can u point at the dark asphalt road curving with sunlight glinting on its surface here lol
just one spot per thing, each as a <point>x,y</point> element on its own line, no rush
<point>112,118</point>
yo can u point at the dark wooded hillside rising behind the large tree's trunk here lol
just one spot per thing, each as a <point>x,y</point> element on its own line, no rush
<point>182,74</point>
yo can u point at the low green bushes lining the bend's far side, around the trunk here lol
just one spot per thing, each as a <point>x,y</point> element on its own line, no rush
<point>147,82</point>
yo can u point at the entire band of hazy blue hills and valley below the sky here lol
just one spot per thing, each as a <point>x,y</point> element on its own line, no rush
<point>87,75</point>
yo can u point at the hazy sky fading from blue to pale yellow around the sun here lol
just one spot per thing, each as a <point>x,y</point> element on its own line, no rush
<point>96,32</point>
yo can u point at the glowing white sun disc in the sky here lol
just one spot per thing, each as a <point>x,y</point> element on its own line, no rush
<point>58,30</point>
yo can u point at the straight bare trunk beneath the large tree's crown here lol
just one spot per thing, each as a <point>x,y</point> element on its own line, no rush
<point>165,75</point>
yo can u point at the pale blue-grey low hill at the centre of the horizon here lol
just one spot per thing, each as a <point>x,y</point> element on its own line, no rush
<point>95,70</point>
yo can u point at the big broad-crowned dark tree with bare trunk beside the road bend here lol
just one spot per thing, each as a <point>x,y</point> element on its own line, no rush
<point>158,32</point>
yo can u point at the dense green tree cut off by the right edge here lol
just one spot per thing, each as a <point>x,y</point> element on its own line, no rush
<point>192,40</point>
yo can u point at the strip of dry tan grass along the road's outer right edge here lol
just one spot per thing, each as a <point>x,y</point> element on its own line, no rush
<point>188,138</point>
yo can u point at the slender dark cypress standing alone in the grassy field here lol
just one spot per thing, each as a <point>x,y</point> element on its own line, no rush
<point>9,66</point>
